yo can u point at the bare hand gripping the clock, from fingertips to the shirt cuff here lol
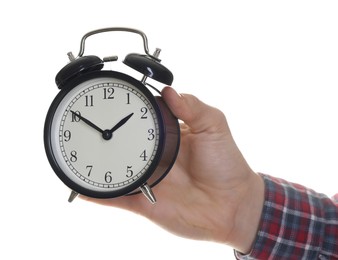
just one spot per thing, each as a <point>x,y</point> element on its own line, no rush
<point>211,193</point>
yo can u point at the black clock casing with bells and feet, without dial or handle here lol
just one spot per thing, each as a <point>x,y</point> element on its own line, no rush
<point>88,67</point>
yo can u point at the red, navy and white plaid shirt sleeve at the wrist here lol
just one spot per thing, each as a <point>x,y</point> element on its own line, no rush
<point>296,223</point>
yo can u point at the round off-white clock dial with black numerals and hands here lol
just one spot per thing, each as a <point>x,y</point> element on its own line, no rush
<point>105,137</point>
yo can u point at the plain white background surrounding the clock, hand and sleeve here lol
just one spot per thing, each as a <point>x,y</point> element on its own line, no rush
<point>271,66</point>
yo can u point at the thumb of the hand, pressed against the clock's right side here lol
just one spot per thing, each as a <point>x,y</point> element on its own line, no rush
<point>196,114</point>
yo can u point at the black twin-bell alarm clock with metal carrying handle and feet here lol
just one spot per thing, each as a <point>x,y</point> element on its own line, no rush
<point>106,133</point>
